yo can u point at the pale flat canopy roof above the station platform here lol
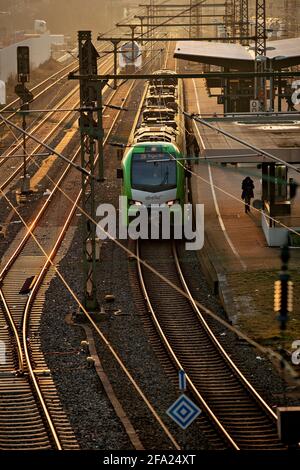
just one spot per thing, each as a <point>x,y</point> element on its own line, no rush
<point>284,52</point>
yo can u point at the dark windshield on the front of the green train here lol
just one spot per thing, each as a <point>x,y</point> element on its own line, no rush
<point>153,172</point>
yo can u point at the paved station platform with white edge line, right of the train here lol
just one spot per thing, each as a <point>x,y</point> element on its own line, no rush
<point>236,257</point>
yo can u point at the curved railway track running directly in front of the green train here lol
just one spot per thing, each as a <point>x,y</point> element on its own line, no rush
<point>240,415</point>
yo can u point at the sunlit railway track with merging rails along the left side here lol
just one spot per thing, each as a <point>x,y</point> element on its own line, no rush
<point>31,416</point>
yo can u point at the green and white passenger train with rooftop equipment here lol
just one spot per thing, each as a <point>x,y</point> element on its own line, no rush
<point>153,169</point>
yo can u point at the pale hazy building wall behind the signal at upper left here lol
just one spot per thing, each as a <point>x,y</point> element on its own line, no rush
<point>40,52</point>
